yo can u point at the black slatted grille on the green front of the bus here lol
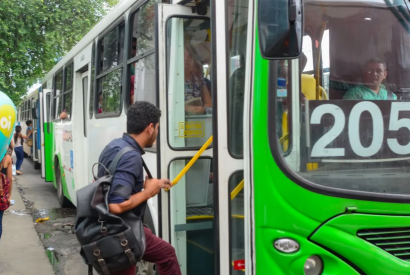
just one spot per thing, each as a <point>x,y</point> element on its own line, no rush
<point>395,241</point>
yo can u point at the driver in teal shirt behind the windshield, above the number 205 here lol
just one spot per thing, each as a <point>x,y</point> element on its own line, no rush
<point>372,88</point>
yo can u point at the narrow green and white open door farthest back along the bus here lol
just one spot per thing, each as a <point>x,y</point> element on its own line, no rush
<point>47,143</point>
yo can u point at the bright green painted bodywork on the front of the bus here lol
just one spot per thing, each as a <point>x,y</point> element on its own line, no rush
<point>285,209</point>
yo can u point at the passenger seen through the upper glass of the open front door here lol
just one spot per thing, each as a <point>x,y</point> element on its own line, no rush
<point>197,96</point>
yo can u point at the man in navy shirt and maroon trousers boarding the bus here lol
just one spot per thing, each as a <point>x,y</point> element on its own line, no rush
<point>126,192</point>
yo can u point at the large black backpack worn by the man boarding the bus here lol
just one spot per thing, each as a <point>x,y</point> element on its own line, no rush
<point>109,243</point>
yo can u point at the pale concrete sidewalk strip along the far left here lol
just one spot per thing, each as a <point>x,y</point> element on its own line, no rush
<point>21,251</point>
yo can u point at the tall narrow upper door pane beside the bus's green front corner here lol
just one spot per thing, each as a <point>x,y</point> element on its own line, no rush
<point>237,31</point>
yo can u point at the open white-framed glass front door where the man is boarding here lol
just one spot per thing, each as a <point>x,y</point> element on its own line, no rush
<point>187,211</point>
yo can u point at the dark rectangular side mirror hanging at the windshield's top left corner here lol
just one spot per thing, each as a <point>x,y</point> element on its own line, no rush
<point>280,28</point>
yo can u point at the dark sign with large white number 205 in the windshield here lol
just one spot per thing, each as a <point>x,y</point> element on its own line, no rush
<point>347,129</point>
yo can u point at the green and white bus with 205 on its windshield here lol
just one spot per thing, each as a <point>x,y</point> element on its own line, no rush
<point>308,106</point>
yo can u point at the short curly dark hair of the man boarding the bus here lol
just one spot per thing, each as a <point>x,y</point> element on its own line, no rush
<point>140,115</point>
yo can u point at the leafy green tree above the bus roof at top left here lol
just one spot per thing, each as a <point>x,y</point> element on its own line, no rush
<point>35,34</point>
